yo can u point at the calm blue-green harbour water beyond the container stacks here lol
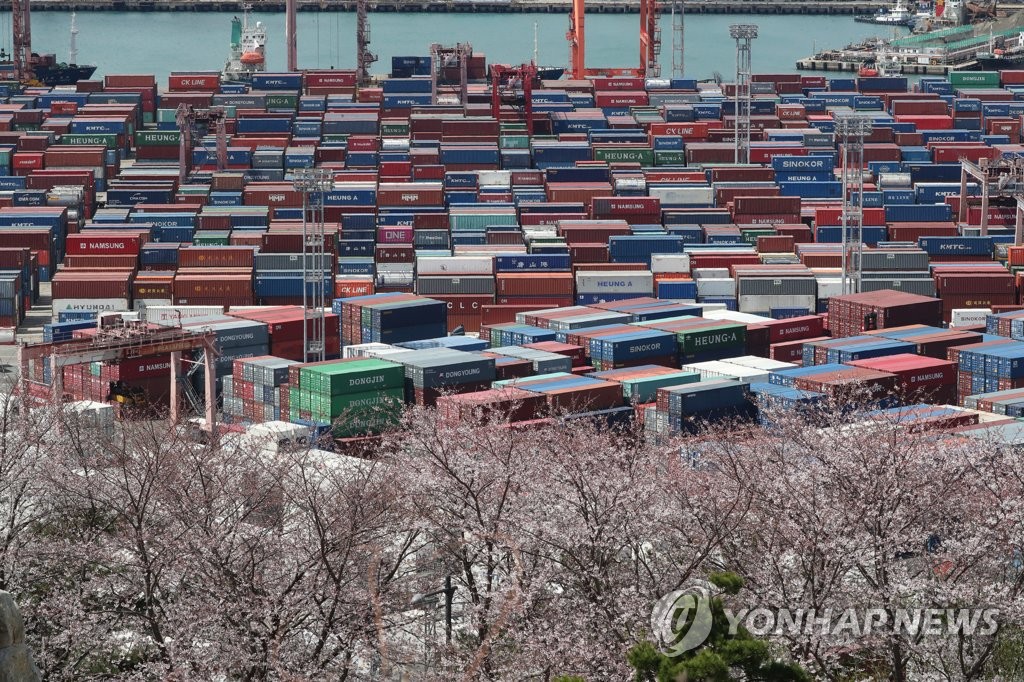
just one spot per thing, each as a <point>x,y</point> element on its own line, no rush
<point>161,42</point>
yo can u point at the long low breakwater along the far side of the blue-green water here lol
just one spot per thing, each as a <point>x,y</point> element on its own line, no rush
<point>482,7</point>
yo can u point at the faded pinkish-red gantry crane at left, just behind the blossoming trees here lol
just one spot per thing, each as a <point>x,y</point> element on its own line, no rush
<point>122,342</point>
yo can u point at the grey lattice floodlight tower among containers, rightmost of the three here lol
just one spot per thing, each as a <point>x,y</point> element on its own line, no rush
<point>851,131</point>
